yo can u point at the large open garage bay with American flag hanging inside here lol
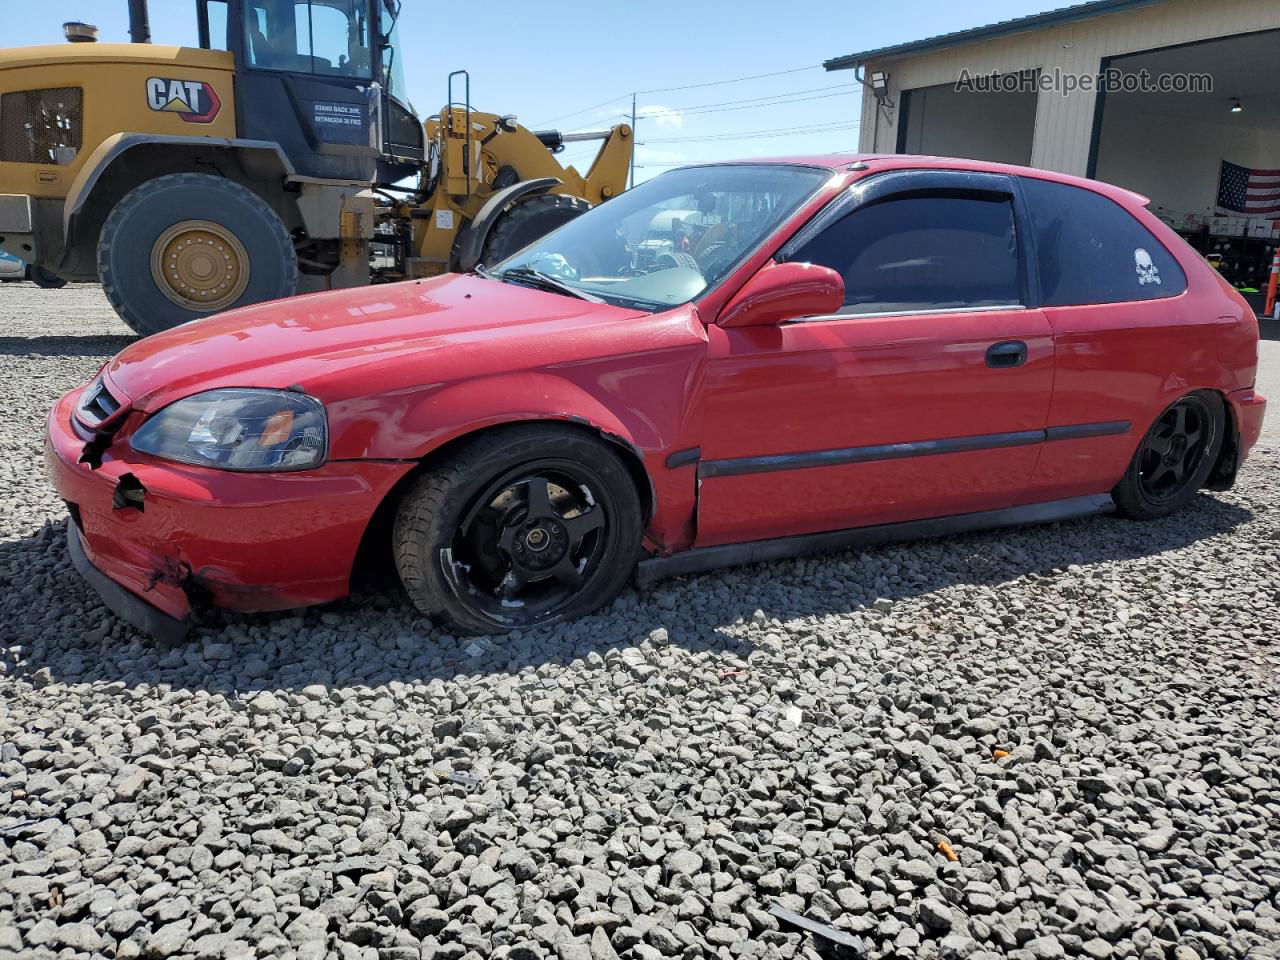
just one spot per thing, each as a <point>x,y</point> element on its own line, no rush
<point>1209,161</point>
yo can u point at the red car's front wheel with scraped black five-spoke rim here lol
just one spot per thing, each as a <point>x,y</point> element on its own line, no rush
<point>524,527</point>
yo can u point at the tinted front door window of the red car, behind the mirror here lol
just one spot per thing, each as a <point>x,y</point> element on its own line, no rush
<point>924,254</point>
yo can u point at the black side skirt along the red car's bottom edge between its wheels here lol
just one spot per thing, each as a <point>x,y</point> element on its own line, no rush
<point>697,561</point>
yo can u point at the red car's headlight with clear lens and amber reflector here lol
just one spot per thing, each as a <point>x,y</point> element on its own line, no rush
<point>239,429</point>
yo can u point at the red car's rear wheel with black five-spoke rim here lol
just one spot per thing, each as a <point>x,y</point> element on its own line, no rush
<point>1174,459</point>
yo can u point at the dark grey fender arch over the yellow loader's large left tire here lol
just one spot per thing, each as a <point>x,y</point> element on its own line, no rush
<point>148,162</point>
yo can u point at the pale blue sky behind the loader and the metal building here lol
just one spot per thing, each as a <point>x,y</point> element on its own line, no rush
<point>557,66</point>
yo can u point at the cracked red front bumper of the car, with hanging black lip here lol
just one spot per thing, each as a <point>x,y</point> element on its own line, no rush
<point>158,540</point>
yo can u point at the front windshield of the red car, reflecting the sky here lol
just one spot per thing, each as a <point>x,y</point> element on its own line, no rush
<point>671,239</point>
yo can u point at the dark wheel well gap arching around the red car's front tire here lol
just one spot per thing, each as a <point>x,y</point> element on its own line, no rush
<point>374,564</point>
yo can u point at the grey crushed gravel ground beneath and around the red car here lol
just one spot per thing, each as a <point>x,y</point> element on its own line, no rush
<point>1085,715</point>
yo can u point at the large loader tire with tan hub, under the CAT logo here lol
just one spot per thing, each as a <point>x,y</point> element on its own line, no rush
<point>190,245</point>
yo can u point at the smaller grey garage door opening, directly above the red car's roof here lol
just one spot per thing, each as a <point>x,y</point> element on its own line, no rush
<point>994,126</point>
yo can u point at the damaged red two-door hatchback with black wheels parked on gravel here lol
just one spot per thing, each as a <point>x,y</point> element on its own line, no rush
<point>729,363</point>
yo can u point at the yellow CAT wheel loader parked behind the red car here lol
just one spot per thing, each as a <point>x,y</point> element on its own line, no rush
<point>281,157</point>
